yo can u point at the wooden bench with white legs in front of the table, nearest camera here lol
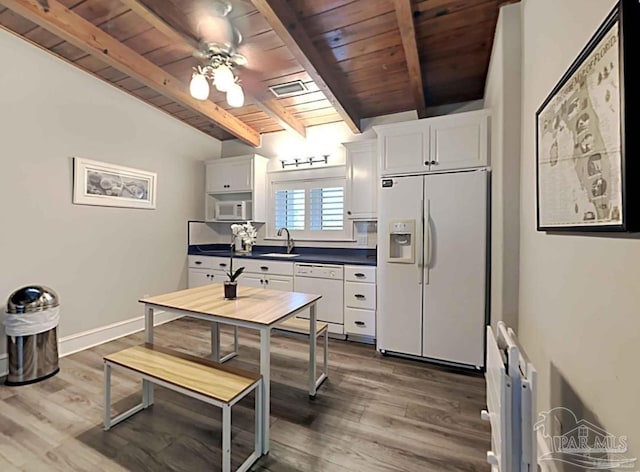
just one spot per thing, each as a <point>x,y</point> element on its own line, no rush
<point>198,378</point>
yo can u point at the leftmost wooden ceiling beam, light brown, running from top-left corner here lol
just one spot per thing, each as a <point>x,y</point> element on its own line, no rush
<point>81,33</point>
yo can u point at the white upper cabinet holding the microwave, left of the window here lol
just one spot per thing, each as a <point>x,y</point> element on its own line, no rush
<point>233,179</point>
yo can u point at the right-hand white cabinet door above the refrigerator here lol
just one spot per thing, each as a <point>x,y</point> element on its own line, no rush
<point>459,141</point>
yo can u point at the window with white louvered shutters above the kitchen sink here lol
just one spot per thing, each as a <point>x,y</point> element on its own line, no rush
<point>311,209</point>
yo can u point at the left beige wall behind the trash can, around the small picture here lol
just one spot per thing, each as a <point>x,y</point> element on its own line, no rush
<point>100,260</point>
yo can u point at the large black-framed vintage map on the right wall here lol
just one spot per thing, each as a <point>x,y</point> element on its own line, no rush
<point>588,140</point>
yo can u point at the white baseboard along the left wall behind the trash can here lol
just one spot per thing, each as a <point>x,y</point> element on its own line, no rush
<point>94,337</point>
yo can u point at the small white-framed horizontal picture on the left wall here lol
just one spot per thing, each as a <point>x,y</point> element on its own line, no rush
<point>105,184</point>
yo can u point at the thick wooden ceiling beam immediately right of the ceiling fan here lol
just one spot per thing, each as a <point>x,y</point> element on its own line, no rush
<point>287,25</point>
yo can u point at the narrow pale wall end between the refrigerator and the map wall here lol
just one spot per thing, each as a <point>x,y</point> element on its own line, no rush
<point>502,96</point>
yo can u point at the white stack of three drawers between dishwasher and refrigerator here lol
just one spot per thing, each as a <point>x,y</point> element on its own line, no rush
<point>360,302</point>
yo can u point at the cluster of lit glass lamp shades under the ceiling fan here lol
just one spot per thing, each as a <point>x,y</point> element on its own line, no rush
<point>219,72</point>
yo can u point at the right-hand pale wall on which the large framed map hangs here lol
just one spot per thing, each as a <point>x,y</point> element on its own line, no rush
<point>579,295</point>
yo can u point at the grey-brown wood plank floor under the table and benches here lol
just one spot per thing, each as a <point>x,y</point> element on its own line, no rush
<point>374,414</point>
